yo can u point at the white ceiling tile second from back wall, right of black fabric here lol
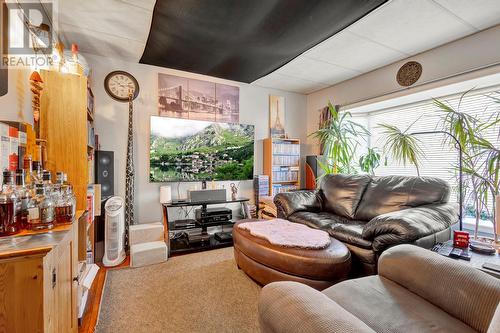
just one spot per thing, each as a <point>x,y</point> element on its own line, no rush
<point>316,70</point>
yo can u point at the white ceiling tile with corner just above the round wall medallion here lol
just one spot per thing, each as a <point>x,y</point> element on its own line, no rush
<point>351,51</point>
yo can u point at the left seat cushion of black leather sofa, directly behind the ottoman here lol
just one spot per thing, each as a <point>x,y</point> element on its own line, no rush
<point>341,228</point>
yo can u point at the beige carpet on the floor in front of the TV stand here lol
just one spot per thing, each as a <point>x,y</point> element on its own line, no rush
<point>200,292</point>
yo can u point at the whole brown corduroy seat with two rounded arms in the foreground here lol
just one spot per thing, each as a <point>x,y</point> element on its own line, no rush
<point>416,291</point>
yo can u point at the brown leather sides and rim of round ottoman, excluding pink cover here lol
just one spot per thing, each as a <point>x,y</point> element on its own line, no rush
<point>266,263</point>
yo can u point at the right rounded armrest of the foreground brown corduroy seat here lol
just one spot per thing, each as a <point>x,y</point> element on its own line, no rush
<point>462,291</point>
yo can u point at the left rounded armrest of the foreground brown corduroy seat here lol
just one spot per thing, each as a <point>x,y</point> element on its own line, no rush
<point>291,307</point>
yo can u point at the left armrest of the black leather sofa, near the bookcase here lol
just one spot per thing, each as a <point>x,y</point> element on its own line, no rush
<point>291,202</point>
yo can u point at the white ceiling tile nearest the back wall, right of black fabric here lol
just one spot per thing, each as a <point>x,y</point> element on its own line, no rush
<point>285,82</point>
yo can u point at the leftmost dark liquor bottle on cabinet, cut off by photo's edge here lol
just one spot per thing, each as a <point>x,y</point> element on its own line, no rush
<point>9,206</point>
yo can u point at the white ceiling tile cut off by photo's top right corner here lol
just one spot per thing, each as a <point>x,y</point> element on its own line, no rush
<point>481,14</point>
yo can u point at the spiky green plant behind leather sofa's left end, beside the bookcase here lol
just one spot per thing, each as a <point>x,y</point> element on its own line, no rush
<point>340,137</point>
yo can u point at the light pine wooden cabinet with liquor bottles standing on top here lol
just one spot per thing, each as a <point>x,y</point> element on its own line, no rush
<point>38,289</point>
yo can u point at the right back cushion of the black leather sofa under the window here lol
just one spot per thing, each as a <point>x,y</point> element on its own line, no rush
<point>393,193</point>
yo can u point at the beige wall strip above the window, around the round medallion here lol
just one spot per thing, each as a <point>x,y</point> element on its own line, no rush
<point>468,58</point>
